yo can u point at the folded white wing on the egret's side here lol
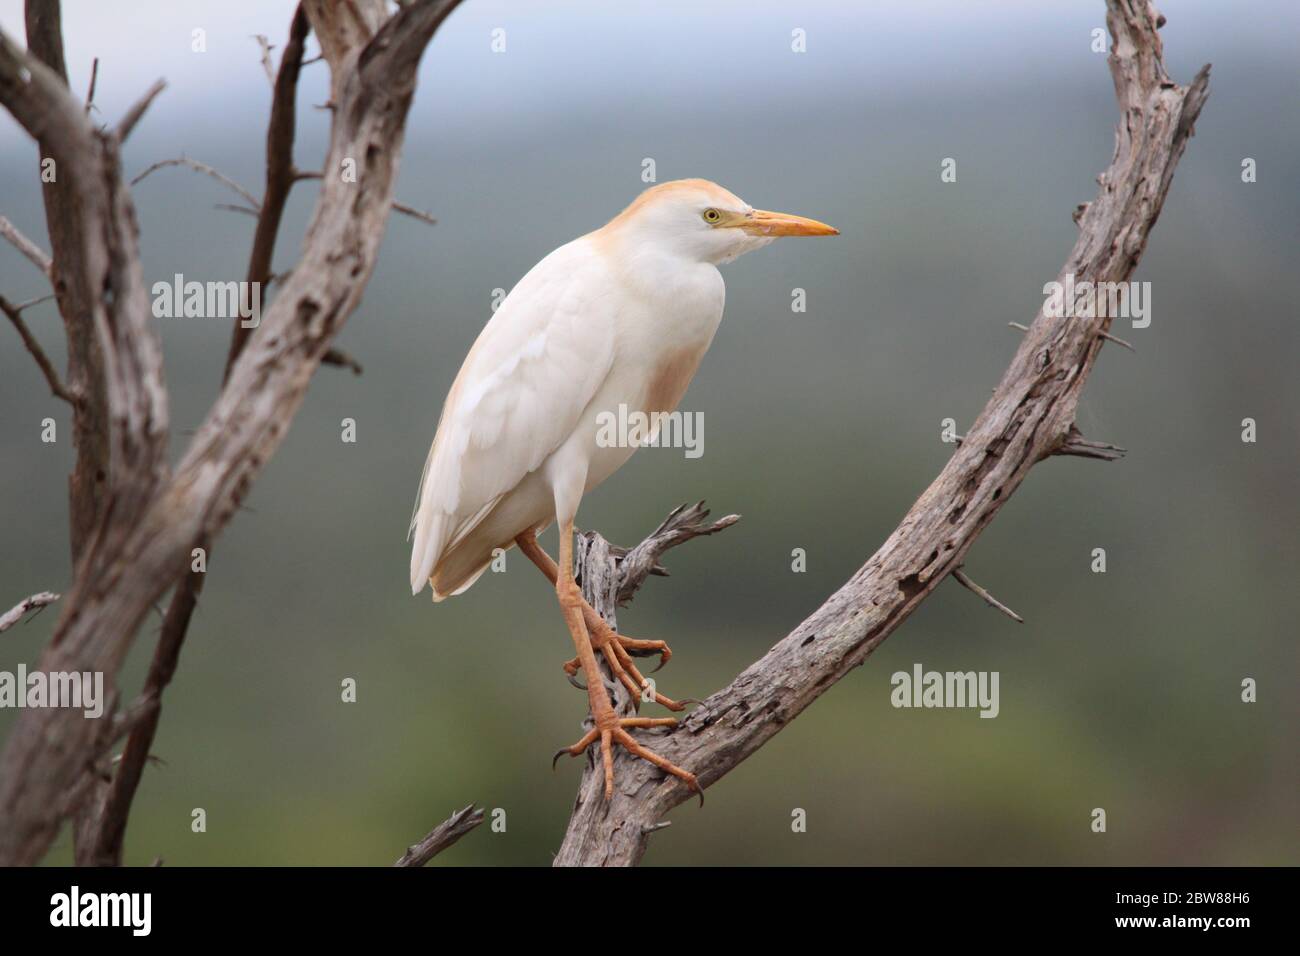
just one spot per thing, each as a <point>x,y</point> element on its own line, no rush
<point>518,397</point>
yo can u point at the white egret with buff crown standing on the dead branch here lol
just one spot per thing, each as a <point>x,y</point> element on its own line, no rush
<point>621,317</point>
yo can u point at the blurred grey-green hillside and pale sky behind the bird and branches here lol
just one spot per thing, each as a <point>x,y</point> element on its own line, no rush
<point>1121,691</point>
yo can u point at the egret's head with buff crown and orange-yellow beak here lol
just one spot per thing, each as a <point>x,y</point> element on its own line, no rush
<point>701,220</point>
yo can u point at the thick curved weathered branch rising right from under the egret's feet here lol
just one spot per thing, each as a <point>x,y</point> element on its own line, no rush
<point>1029,418</point>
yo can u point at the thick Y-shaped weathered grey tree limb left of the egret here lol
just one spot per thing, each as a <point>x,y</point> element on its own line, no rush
<point>153,520</point>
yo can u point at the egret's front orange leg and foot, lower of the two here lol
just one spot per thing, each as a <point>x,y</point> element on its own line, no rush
<point>609,729</point>
